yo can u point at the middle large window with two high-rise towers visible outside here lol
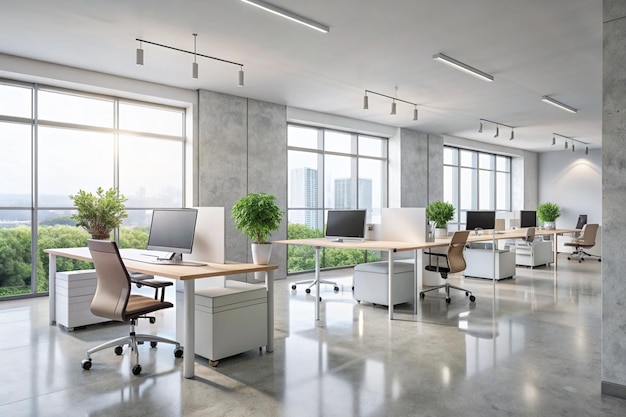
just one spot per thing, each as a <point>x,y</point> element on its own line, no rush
<point>330,169</point>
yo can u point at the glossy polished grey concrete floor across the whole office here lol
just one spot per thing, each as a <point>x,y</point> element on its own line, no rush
<point>533,349</point>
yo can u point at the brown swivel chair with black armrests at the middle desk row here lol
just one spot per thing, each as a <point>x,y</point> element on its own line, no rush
<point>455,262</point>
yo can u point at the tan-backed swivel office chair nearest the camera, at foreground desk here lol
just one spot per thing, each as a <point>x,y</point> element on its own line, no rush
<point>113,300</point>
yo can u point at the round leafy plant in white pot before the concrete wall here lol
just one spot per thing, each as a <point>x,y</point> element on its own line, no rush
<point>257,215</point>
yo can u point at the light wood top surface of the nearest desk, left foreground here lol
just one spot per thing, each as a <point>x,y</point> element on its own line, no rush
<point>171,271</point>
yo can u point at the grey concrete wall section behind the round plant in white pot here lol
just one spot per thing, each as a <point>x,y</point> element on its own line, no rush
<point>242,148</point>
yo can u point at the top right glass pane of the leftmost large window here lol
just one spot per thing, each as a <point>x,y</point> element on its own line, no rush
<point>151,119</point>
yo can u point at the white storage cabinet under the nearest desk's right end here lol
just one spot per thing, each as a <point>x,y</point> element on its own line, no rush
<point>230,319</point>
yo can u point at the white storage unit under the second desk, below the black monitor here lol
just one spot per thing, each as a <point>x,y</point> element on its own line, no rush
<point>371,282</point>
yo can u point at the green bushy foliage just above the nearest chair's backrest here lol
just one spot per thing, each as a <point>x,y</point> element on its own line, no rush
<point>99,213</point>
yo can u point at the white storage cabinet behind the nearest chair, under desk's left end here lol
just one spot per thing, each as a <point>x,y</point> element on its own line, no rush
<point>74,291</point>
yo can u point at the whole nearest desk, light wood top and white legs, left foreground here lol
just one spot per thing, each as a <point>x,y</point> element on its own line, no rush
<point>187,274</point>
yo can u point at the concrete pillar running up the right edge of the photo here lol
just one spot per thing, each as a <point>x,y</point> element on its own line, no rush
<point>614,200</point>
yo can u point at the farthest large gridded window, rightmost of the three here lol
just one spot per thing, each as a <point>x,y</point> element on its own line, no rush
<point>475,181</point>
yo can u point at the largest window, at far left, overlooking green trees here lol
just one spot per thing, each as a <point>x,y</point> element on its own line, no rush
<point>55,142</point>
